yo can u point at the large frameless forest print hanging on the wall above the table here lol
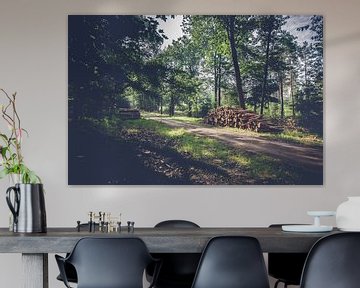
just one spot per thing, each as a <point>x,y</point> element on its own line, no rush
<point>195,100</point>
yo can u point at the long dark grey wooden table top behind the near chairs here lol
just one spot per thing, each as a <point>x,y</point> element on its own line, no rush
<point>158,240</point>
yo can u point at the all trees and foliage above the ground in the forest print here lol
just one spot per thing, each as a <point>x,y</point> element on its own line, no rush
<point>118,61</point>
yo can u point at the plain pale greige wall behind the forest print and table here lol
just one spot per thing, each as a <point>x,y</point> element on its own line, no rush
<point>33,62</point>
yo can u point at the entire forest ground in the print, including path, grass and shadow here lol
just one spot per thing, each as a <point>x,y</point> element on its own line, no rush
<point>169,152</point>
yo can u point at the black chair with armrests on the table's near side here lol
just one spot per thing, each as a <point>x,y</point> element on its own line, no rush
<point>108,262</point>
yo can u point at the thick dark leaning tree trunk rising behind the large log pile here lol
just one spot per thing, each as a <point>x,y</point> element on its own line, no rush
<point>231,35</point>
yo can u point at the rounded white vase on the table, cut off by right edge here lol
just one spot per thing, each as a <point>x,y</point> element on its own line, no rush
<point>348,214</point>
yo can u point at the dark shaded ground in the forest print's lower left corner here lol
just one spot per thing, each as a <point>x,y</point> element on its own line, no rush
<point>97,159</point>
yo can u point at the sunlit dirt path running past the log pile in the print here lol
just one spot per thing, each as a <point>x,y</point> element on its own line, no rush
<point>308,157</point>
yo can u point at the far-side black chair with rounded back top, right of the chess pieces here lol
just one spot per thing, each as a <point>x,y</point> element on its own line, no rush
<point>178,269</point>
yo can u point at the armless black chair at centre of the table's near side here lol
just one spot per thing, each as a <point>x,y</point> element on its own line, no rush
<point>232,262</point>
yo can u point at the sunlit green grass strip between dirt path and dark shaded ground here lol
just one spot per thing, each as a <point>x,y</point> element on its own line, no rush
<point>256,166</point>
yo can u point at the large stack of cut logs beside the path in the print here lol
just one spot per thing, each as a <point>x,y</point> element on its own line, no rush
<point>240,118</point>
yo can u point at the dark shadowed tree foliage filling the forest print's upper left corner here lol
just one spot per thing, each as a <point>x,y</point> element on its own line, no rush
<point>108,54</point>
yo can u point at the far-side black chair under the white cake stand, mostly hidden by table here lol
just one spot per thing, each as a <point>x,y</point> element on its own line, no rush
<point>286,267</point>
